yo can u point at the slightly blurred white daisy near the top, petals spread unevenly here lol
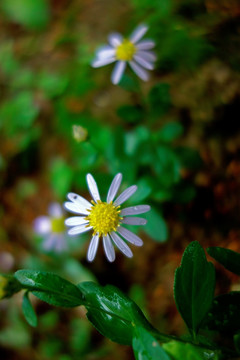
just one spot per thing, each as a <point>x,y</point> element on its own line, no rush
<point>132,51</point>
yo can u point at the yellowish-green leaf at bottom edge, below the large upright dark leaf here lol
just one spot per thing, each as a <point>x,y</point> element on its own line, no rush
<point>180,351</point>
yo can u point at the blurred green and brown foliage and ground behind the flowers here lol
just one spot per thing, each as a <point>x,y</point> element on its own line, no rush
<point>177,137</point>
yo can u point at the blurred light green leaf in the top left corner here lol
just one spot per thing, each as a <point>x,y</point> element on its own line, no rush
<point>31,14</point>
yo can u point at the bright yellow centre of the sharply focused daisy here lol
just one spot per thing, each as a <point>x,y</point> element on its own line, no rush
<point>104,217</point>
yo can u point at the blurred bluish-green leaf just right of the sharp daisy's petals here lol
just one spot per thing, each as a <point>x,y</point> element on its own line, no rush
<point>156,226</point>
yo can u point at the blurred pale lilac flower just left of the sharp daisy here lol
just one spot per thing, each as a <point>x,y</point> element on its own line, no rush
<point>52,229</point>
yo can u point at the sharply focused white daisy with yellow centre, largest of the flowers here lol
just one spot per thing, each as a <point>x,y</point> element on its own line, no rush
<point>105,219</point>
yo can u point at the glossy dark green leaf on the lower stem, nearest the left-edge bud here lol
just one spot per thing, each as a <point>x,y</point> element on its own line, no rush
<point>50,288</point>
